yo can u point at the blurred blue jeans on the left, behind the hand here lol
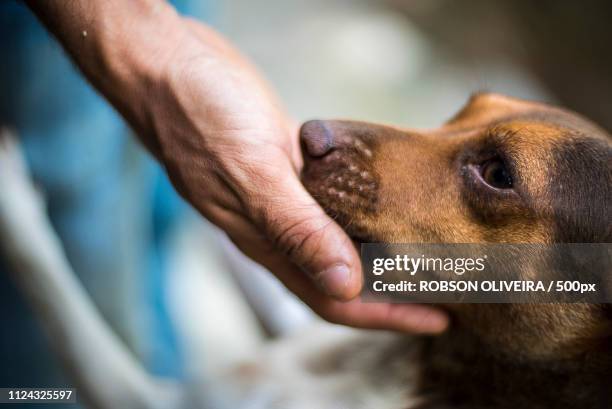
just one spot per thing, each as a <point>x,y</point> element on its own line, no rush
<point>110,204</point>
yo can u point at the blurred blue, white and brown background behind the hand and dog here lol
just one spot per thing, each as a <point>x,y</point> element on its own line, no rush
<point>158,272</point>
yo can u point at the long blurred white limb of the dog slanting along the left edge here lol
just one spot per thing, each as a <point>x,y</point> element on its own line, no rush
<point>106,373</point>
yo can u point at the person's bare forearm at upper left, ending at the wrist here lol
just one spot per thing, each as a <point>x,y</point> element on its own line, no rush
<point>121,46</point>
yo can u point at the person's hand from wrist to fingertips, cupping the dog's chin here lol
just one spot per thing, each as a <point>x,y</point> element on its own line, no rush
<point>234,154</point>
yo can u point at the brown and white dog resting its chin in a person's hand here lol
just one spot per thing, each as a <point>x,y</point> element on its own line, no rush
<point>502,170</point>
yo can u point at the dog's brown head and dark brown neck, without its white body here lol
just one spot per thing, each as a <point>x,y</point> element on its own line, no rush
<point>502,170</point>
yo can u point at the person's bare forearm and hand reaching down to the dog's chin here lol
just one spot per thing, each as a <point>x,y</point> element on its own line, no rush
<point>228,146</point>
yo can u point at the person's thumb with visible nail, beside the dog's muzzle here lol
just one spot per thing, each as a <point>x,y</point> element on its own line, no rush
<point>300,229</point>
